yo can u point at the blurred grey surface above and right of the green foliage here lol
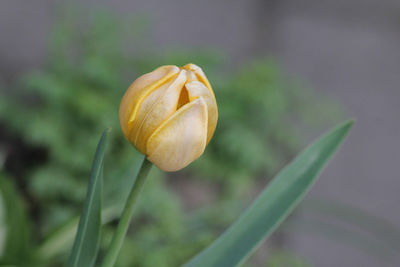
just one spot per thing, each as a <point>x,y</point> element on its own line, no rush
<point>348,50</point>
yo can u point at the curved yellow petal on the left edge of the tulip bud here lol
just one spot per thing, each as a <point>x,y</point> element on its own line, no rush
<point>138,90</point>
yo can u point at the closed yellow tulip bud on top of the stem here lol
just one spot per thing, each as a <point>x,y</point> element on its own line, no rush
<point>170,115</point>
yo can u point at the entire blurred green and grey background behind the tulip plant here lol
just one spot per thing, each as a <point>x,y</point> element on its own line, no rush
<point>283,72</point>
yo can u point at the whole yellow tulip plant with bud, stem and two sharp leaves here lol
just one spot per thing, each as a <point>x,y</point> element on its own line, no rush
<point>170,116</point>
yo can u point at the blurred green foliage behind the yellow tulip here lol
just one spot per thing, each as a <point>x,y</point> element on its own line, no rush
<point>64,107</point>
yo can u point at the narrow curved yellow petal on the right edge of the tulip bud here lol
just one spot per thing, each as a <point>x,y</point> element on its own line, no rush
<point>197,89</point>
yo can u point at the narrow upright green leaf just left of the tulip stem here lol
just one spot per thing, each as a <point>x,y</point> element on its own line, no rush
<point>86,242</point>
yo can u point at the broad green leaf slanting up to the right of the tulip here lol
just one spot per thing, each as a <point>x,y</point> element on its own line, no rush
<point>274,204</point>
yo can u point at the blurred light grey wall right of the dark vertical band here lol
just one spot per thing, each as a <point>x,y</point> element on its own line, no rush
<point>350,50</point>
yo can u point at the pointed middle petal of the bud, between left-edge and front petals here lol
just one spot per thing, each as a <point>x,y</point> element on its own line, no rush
<point>157,107</point>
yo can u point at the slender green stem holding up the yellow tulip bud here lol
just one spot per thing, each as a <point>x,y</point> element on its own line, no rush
<point>122,228</point>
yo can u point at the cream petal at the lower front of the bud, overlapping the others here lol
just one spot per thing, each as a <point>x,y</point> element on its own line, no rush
<point>181,139</point>
